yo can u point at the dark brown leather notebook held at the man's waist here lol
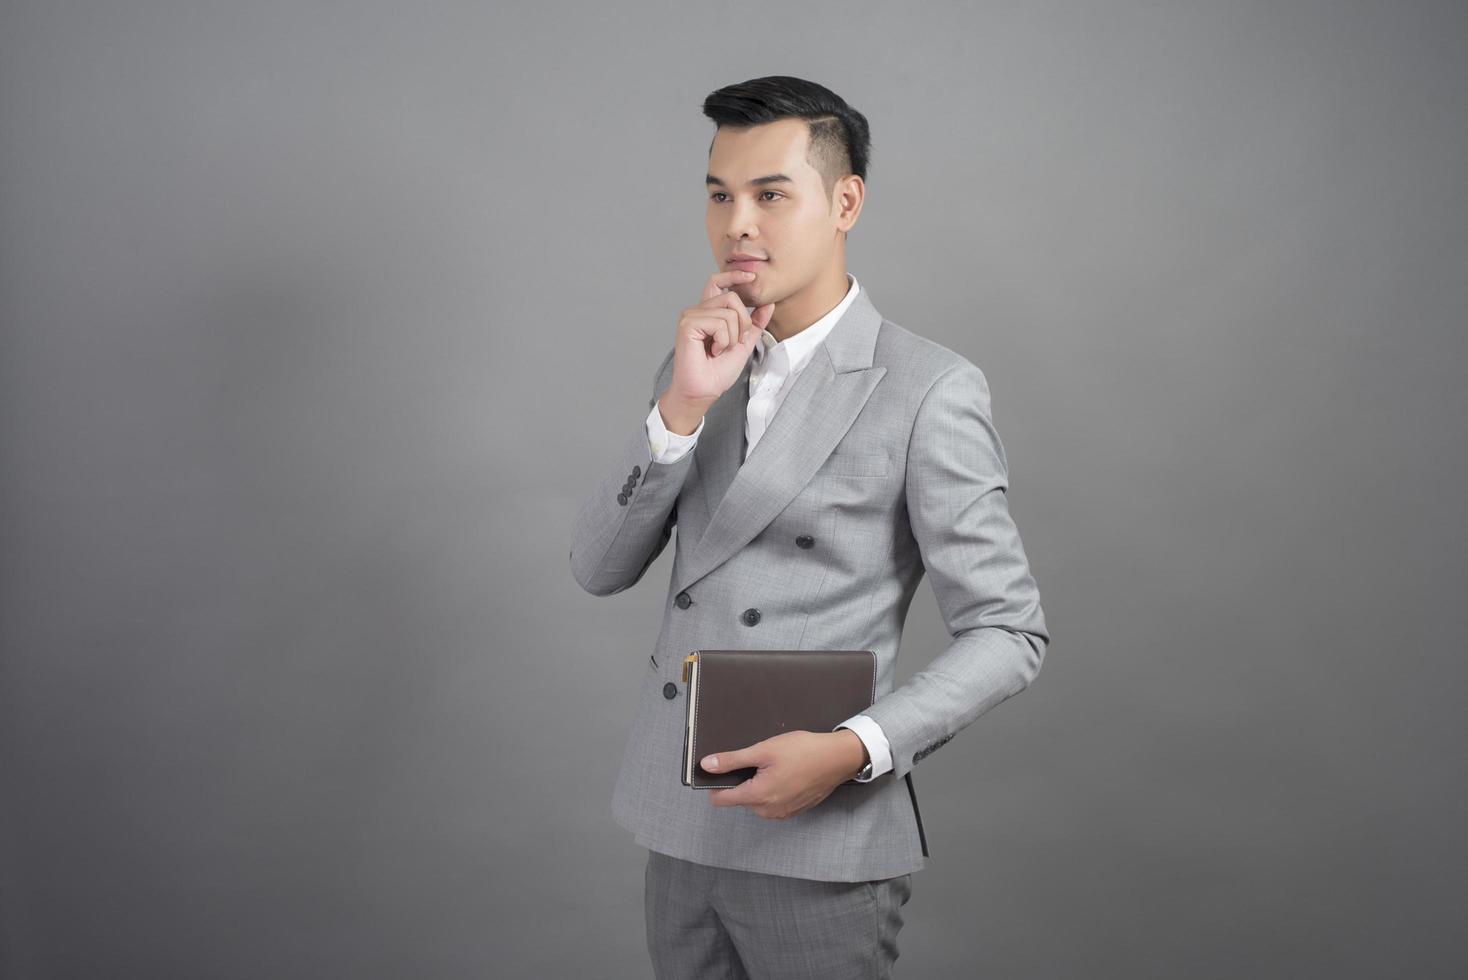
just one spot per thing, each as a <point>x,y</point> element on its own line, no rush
<point>739,698</point>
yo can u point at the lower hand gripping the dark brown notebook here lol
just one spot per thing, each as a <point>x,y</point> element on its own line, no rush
<point>796,771</point>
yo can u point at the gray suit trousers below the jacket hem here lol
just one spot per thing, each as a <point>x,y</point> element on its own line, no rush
<point>717,924</point>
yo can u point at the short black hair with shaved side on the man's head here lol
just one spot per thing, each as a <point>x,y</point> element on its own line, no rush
<point>840,140</point>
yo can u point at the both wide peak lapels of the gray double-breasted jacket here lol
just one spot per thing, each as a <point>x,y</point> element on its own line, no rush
<point>817,413</point>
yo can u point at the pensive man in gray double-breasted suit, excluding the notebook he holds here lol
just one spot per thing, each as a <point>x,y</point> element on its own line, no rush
<point>817,460</point>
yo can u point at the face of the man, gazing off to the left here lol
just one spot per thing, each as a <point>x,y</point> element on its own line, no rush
<point>789,222</point>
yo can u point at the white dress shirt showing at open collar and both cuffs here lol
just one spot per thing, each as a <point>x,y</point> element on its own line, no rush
<point>776,370</point>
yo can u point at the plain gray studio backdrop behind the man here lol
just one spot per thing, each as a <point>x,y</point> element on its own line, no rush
<point>321,321</point>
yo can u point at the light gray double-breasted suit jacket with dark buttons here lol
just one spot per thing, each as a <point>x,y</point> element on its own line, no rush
<point>884,453</point>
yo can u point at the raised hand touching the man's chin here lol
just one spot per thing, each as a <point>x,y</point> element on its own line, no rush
<point>716,340</point>
